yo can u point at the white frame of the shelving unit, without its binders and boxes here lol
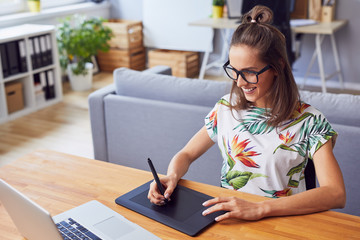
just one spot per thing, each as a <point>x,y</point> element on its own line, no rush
<point>27,33</point>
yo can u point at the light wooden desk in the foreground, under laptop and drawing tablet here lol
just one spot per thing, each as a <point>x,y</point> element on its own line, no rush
<point>59,182</point>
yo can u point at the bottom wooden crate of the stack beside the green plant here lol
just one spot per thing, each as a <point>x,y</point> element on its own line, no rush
<point>133,58</point>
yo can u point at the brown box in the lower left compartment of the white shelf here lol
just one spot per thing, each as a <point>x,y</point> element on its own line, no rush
<point>14,96</point>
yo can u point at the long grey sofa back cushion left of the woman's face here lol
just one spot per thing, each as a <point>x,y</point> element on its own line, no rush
<point>168,88</point>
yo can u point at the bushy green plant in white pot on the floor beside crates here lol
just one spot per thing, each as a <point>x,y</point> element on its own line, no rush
<point>79,39</point>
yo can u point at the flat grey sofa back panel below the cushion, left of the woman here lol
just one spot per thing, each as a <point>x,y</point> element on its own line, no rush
<point>138,129</point>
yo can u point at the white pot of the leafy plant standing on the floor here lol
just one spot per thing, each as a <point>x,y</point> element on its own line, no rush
<point>80,82</point>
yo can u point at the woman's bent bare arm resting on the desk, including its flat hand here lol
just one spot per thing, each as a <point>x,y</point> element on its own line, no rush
<point>330,194</point>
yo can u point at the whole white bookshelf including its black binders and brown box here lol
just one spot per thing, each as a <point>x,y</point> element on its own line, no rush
<point>30,77</point>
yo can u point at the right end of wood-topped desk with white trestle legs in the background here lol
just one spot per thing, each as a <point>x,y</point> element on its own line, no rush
<point>321,30</point>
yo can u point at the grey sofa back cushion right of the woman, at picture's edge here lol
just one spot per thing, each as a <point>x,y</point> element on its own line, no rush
<point>337,108</point>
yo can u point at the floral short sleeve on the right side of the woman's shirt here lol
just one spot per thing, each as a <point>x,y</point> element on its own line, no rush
<point>319,132</point>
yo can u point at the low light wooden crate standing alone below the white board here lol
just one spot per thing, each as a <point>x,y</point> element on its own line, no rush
<point>182,63</point>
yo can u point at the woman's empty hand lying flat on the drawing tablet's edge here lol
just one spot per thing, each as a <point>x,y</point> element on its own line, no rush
<point>235,207</point>
